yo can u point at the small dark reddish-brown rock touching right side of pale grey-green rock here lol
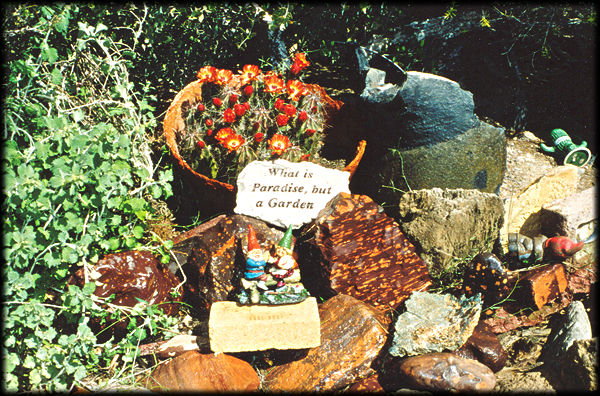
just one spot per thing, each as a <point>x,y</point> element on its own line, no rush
<point>484,346</point>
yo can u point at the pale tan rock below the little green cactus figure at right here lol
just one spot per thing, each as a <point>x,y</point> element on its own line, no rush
<point>559,183</point>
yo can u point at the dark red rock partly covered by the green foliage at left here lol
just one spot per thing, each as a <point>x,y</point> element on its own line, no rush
<point>131,275</point>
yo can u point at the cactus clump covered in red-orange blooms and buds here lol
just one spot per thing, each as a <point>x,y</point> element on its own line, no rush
<point>253,115</point>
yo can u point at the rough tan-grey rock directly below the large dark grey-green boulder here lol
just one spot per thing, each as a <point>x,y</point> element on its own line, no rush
<point>448,223</point>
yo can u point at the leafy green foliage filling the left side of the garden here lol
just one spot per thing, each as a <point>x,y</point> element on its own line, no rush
<point>78,177</point>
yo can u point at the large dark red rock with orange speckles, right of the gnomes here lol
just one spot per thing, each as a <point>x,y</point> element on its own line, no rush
<point>354,248</point>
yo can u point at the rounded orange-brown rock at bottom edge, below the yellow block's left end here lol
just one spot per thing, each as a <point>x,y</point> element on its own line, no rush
<point>198,372</point>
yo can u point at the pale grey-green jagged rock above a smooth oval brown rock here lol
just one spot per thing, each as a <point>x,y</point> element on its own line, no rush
<point>433,323</point>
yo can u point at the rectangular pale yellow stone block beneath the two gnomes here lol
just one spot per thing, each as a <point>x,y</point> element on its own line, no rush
<point>243,328</point>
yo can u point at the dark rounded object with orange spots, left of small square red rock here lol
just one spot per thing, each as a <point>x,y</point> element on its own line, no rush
<point>486,275</point>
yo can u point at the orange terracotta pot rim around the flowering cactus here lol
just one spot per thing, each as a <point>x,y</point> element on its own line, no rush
<point>219,195</point>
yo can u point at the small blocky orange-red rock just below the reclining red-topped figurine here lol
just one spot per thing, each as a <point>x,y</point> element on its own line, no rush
<point>542,285</point>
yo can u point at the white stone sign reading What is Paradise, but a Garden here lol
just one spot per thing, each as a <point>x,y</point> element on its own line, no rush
<point>285,193</point>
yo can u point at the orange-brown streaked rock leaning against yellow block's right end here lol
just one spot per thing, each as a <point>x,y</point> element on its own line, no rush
<point>352,335</point>
